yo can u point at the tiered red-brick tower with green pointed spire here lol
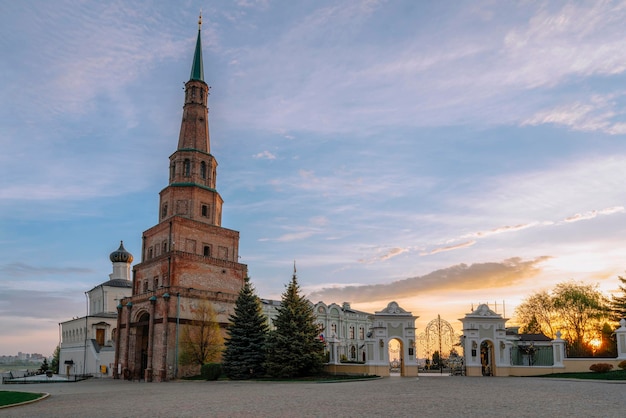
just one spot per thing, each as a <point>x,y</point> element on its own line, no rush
<point>187,257</point>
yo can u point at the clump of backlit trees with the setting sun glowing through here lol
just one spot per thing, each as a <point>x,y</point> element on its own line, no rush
<point>578,310</point>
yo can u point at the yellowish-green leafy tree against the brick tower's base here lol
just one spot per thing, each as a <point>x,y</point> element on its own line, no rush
<point>201,340</point>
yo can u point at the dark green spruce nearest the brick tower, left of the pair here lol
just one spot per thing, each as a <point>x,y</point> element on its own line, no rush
<point>245,344</point>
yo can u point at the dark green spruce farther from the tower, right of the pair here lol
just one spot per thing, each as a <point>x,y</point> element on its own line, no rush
<point>294,347</point>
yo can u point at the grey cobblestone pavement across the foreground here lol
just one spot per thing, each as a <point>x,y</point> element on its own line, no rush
<point>425,396</point>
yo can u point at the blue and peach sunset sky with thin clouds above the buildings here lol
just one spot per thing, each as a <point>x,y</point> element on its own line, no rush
<point>438,154</point>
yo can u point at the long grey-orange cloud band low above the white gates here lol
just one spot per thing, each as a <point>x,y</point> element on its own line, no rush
<point>456,278</point>
